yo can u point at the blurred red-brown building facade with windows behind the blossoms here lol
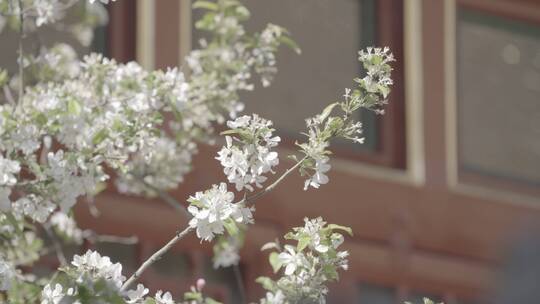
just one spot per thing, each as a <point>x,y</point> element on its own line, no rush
<point>443,197</point>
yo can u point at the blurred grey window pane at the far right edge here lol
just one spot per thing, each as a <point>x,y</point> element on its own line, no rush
<point>498,62</point>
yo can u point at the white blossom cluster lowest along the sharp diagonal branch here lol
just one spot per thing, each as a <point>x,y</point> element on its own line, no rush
<point>214,211</point>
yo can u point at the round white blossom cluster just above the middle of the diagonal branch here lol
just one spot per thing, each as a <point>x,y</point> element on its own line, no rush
<point>248,154</point>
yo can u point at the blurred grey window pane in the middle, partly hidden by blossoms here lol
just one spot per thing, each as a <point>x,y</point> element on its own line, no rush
<point>330,34</point>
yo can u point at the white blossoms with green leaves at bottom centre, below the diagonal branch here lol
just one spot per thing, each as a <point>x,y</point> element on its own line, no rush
<point>308,266</point>
